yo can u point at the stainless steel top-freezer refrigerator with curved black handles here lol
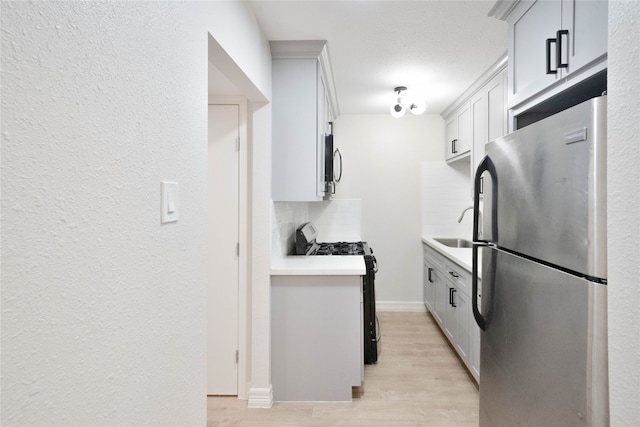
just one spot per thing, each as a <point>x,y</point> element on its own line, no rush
<point>542,300</point>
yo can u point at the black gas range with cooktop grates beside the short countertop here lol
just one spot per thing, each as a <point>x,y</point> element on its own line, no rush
<point>306,244</point>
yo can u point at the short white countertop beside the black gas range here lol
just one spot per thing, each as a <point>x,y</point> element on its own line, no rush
<point>329,265</point>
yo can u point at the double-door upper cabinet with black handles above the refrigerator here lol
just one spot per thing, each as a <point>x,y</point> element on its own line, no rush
<point>552,45</point>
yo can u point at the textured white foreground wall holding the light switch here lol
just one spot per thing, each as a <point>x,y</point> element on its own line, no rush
<point>103,308</point>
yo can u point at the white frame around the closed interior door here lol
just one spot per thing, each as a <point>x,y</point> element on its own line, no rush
<point>243,239</point>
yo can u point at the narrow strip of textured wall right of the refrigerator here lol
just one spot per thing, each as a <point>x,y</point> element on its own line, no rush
<point>623,214</point>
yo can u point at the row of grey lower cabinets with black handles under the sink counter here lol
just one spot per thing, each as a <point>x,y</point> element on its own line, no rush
<point>447,295</point>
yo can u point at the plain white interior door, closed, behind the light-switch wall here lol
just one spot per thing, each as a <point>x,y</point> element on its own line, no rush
<point>222,259</point>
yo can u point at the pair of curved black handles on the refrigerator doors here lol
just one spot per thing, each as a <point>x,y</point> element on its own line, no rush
<point>486,165</point>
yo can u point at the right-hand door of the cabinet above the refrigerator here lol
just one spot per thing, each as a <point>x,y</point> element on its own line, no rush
<point>586,21</point>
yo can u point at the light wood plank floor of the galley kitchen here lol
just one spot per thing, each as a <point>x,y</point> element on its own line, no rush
<point>418,381</point>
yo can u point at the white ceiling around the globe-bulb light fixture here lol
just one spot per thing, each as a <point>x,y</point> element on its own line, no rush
<point>435,48</point>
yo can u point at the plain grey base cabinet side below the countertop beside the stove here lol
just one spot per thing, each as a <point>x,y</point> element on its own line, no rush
<point>316,337</point>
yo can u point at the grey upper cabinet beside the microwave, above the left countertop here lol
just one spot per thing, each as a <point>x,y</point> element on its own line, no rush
<point>302,107</point>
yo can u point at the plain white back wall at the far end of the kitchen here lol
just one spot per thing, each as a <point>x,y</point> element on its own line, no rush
<point>382,159</point>
